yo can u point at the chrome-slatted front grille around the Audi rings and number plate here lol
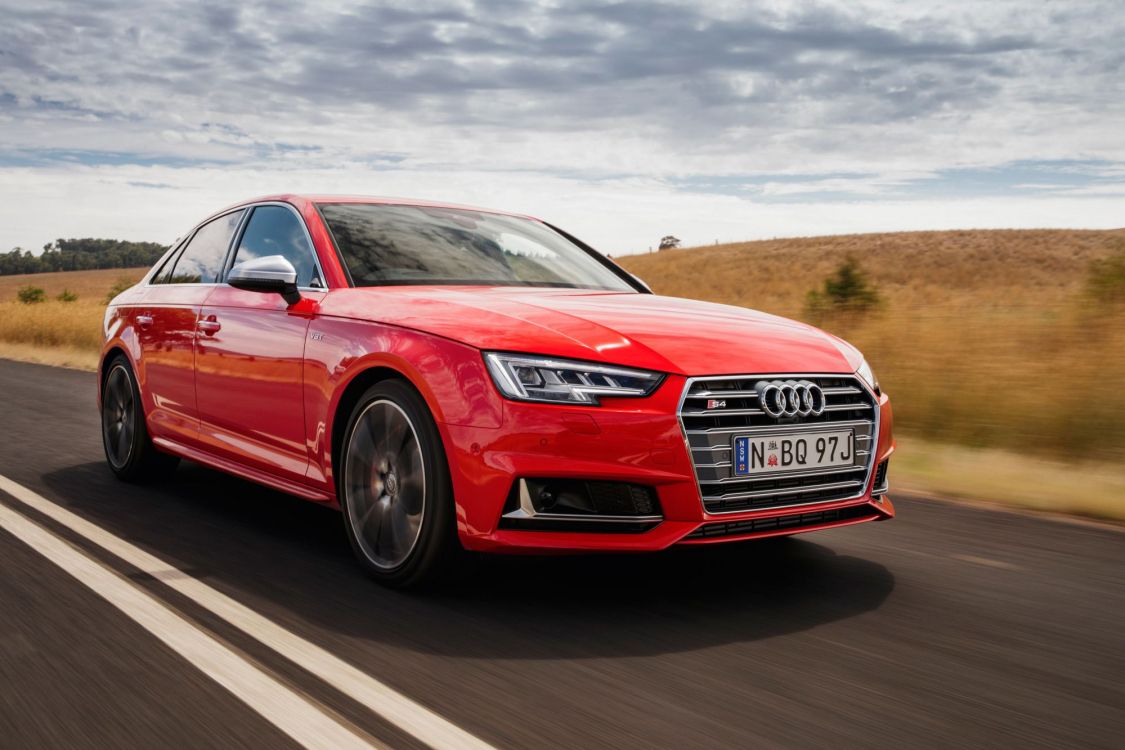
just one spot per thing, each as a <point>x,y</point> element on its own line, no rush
<point>712,432</point>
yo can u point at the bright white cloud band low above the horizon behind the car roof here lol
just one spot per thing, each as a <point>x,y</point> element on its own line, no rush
<point>617,216</point>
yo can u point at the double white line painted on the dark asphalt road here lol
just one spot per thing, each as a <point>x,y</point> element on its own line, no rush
<point>303,720</point>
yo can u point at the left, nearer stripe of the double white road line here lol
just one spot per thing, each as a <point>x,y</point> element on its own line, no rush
<point>292,713</point>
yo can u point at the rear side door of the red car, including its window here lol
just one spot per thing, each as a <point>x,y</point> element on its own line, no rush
<point>166,323</point>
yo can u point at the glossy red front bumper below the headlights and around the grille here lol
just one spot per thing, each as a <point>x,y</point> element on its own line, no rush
<point>625,440</point>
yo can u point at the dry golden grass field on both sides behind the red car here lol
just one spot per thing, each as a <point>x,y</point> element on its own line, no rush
<point>1009,381</point>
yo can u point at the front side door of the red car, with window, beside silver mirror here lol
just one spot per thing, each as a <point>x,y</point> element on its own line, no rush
<point>249,355</point>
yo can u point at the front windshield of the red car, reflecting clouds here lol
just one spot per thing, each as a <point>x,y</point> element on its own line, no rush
<point>386,245</point>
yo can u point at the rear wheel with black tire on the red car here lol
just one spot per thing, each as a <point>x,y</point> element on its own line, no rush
<point>130,451</point>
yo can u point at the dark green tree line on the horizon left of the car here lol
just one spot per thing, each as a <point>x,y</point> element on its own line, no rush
<point>82,256</point>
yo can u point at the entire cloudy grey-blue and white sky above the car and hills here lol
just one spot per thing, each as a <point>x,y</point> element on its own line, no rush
<point>619,121</point>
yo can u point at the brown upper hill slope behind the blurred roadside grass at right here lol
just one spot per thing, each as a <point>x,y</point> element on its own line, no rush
<point>914,269</point>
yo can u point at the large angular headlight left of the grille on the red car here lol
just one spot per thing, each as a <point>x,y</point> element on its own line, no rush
<point>530,378</point>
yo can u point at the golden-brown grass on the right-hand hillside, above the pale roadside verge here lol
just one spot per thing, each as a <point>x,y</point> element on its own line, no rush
<point>985,338</point>
